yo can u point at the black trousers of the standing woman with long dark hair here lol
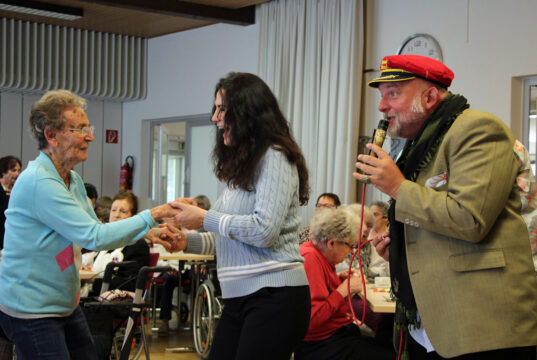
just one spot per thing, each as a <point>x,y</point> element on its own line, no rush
<point>265,325</point>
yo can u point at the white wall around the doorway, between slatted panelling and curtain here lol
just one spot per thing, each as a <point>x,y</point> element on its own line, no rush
<point>183,69</point>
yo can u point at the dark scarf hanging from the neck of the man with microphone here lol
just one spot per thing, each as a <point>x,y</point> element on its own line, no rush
<point>417,155</point>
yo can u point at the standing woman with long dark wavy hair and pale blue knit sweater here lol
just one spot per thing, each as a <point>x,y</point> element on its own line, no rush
<point>253,227</point>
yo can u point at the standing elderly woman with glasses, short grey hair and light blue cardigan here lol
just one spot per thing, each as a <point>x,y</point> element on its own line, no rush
<point>48,221</point>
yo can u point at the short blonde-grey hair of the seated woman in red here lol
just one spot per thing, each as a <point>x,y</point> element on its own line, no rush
<point>339,223</point>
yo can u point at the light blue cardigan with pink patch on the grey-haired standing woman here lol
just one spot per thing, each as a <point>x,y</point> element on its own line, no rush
<point>46,226</point>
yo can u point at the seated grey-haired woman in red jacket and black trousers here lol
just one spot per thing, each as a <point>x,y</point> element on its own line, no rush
<point>331,333</point>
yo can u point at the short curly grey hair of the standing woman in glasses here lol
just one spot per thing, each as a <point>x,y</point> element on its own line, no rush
<point>47,113</point>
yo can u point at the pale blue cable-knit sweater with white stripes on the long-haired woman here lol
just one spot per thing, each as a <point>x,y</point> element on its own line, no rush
<point>255,233</point>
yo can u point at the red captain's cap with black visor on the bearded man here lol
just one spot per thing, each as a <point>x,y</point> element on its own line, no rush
<point>407,67</point>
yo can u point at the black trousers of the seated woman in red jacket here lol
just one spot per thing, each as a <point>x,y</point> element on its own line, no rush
<point>344,344</point>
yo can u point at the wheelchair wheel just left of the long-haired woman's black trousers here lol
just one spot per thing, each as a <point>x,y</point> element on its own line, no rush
<point>206,313</point>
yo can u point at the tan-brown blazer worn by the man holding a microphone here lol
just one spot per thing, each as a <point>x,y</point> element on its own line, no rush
<point>469,257</point>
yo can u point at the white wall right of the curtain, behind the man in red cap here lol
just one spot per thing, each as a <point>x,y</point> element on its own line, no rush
<point>485,42</point>
